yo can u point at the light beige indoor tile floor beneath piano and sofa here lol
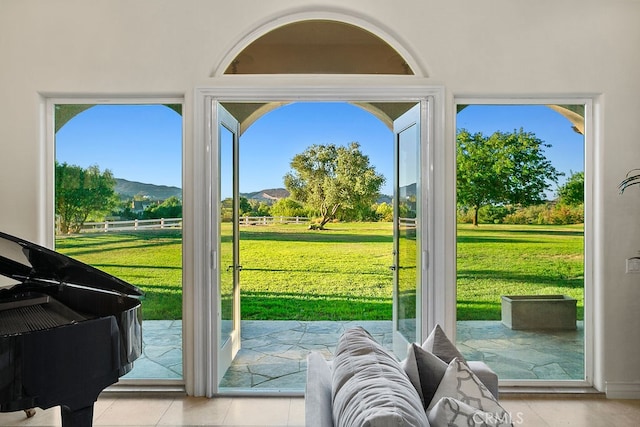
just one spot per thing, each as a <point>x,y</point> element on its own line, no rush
<point>182,411</point>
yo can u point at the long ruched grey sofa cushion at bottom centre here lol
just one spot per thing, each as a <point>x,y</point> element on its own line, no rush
<point>369,387</point>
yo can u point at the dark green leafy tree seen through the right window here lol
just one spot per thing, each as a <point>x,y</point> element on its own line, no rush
<point>504,168</point>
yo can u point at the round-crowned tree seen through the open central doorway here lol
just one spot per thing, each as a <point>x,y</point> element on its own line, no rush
<point>332,179</point>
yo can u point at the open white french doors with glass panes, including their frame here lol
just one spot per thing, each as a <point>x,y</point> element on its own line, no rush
<point>215,292</point>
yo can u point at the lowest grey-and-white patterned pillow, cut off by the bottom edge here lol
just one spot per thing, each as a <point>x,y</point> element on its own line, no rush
<point>450,412</point>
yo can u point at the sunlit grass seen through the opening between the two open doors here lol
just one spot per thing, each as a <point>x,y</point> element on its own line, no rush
<point>342,273</point>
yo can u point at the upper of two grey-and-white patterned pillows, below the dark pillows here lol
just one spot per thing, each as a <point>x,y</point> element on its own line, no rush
<point>460,383</point>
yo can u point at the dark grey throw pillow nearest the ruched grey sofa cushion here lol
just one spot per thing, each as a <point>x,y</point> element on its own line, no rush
<point>425,371</point>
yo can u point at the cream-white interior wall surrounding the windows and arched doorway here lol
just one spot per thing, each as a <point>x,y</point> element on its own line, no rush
<point>471,47</point>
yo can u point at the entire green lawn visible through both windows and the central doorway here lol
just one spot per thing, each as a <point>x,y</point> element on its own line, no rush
<point>342,273</point>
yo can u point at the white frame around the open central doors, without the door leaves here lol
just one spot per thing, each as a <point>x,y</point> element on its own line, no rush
<point>201,376</point>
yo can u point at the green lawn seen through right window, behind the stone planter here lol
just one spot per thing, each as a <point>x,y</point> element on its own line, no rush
<point>495,260</point>
